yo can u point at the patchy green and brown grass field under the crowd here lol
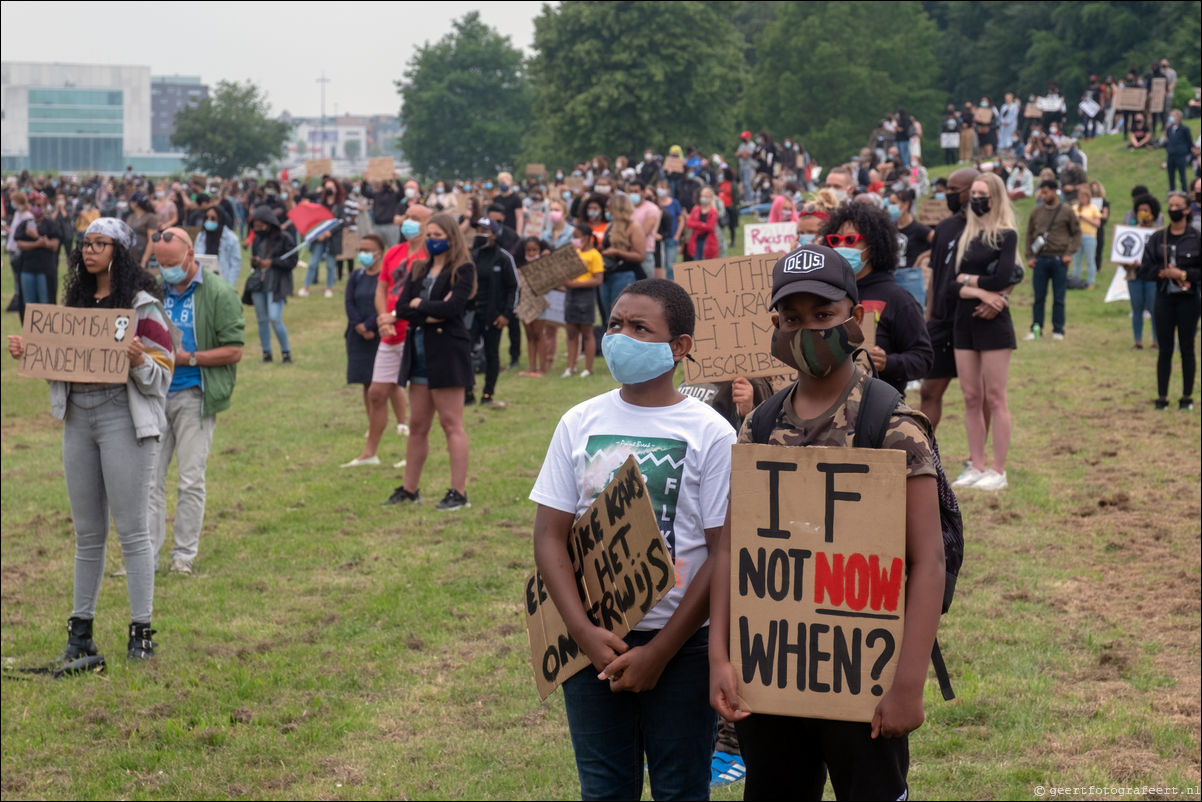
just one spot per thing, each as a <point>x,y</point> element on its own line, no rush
<point>329,647</point>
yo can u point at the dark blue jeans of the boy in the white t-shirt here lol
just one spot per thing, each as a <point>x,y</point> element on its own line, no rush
<point>673,726</point>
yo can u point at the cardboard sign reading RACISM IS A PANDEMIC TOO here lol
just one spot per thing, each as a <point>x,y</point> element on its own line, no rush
<point>70,344</point>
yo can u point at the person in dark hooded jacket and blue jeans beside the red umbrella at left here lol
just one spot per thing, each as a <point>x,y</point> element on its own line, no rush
<point>275,258</point>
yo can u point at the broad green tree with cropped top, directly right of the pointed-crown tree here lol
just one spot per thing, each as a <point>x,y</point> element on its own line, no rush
<point>616,78</point>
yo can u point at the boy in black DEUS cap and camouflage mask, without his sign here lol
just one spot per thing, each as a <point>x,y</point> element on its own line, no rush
<point>817,316</point>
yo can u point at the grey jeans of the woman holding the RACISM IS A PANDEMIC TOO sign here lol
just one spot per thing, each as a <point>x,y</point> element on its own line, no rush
<point>109,471</point>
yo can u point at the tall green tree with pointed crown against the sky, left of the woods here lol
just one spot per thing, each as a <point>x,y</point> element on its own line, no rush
<point>466,104</point>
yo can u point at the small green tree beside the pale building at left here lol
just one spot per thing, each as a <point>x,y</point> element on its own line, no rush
<point>230,132</point>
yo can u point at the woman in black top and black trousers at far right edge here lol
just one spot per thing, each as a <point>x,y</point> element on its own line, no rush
<point>1175,256</point>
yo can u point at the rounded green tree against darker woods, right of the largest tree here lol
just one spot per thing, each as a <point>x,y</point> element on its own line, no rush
<point>829,73</point>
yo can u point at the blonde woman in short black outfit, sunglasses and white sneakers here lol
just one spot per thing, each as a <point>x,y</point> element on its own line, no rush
<point>984,335</point>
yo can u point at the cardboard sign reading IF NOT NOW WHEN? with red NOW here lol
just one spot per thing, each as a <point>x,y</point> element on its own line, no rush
<point>818,578</point>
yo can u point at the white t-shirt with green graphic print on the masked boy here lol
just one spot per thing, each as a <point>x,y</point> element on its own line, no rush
<point>685,453</point>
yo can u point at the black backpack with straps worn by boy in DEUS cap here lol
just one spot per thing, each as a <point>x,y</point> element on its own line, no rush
<point>873,421</point>
